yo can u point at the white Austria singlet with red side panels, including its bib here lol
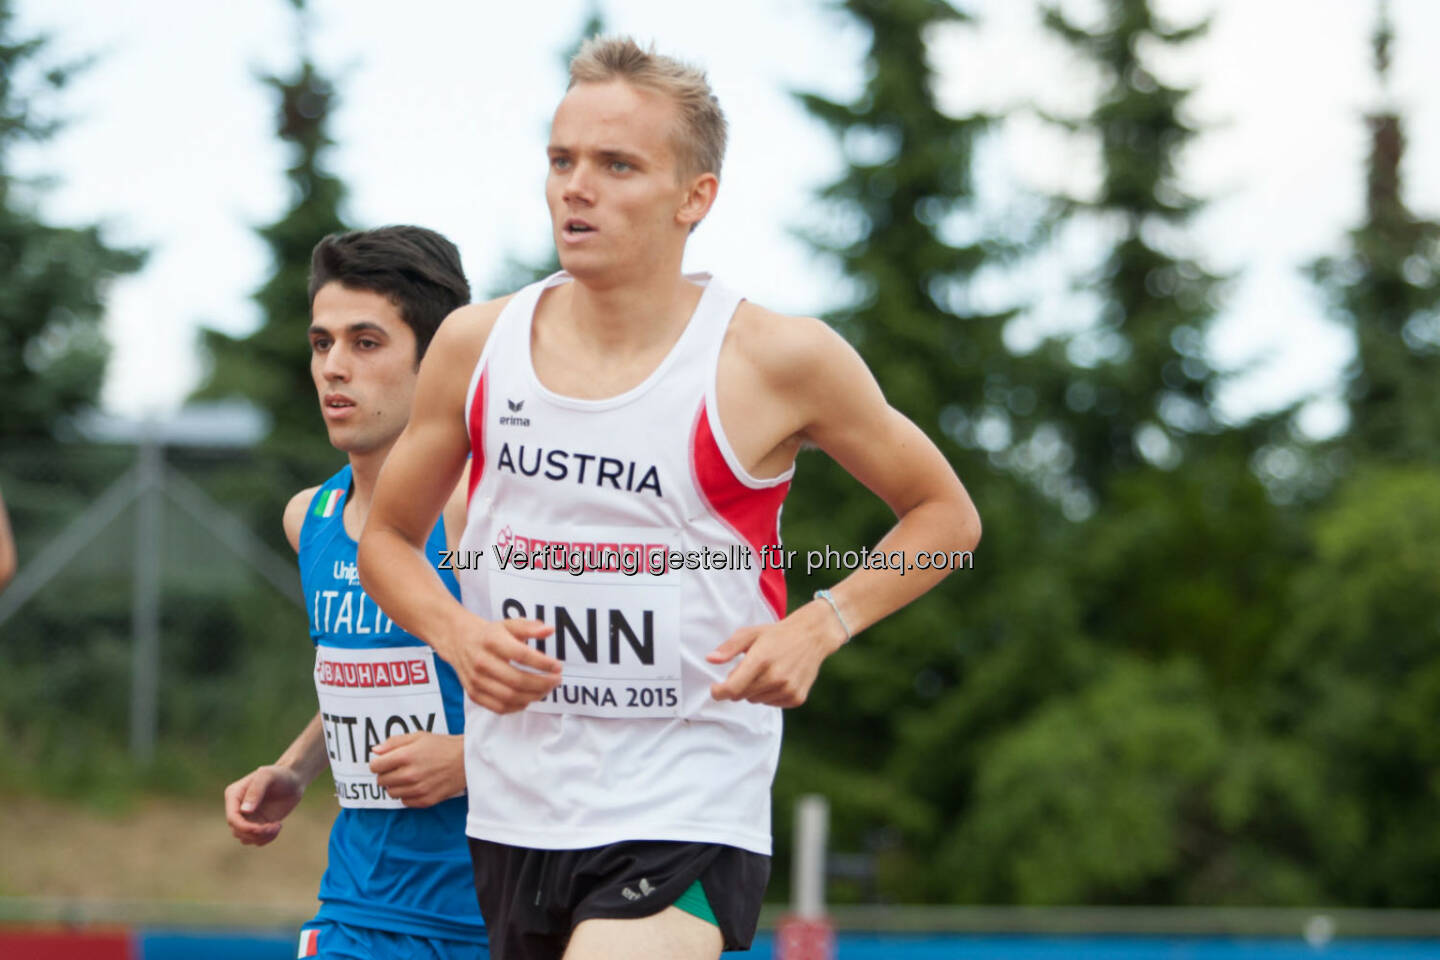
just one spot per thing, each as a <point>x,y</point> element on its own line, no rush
<point>630,526</point>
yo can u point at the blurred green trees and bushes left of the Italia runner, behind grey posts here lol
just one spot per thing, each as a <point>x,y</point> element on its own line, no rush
<point>234,680</point>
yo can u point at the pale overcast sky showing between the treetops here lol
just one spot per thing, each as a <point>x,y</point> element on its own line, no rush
<point>446,110</point>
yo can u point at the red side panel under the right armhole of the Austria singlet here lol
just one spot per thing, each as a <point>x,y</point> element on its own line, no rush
<point>754,515</point>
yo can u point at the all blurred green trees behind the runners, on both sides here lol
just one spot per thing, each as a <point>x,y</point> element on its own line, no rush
<point>1194,661</point>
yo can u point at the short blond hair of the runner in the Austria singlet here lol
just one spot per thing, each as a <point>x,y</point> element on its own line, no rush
<point>701,140</point>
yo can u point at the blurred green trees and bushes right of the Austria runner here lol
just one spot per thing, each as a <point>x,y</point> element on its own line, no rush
<point>1122,703</point>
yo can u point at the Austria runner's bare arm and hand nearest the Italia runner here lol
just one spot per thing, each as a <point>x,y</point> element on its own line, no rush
<point>415,483</point>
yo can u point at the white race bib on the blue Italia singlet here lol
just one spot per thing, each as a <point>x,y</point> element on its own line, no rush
<point>366,697</point>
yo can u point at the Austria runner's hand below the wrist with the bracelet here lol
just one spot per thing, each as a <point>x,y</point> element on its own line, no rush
<point>781,660</point>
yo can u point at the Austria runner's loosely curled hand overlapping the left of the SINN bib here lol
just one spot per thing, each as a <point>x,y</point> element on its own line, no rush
<point>485,656</point>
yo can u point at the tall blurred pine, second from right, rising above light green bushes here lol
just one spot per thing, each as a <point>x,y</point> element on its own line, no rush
<point>1137,402</point>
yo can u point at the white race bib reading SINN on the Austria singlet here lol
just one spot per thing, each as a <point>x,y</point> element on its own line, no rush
<point>616,615</point>
